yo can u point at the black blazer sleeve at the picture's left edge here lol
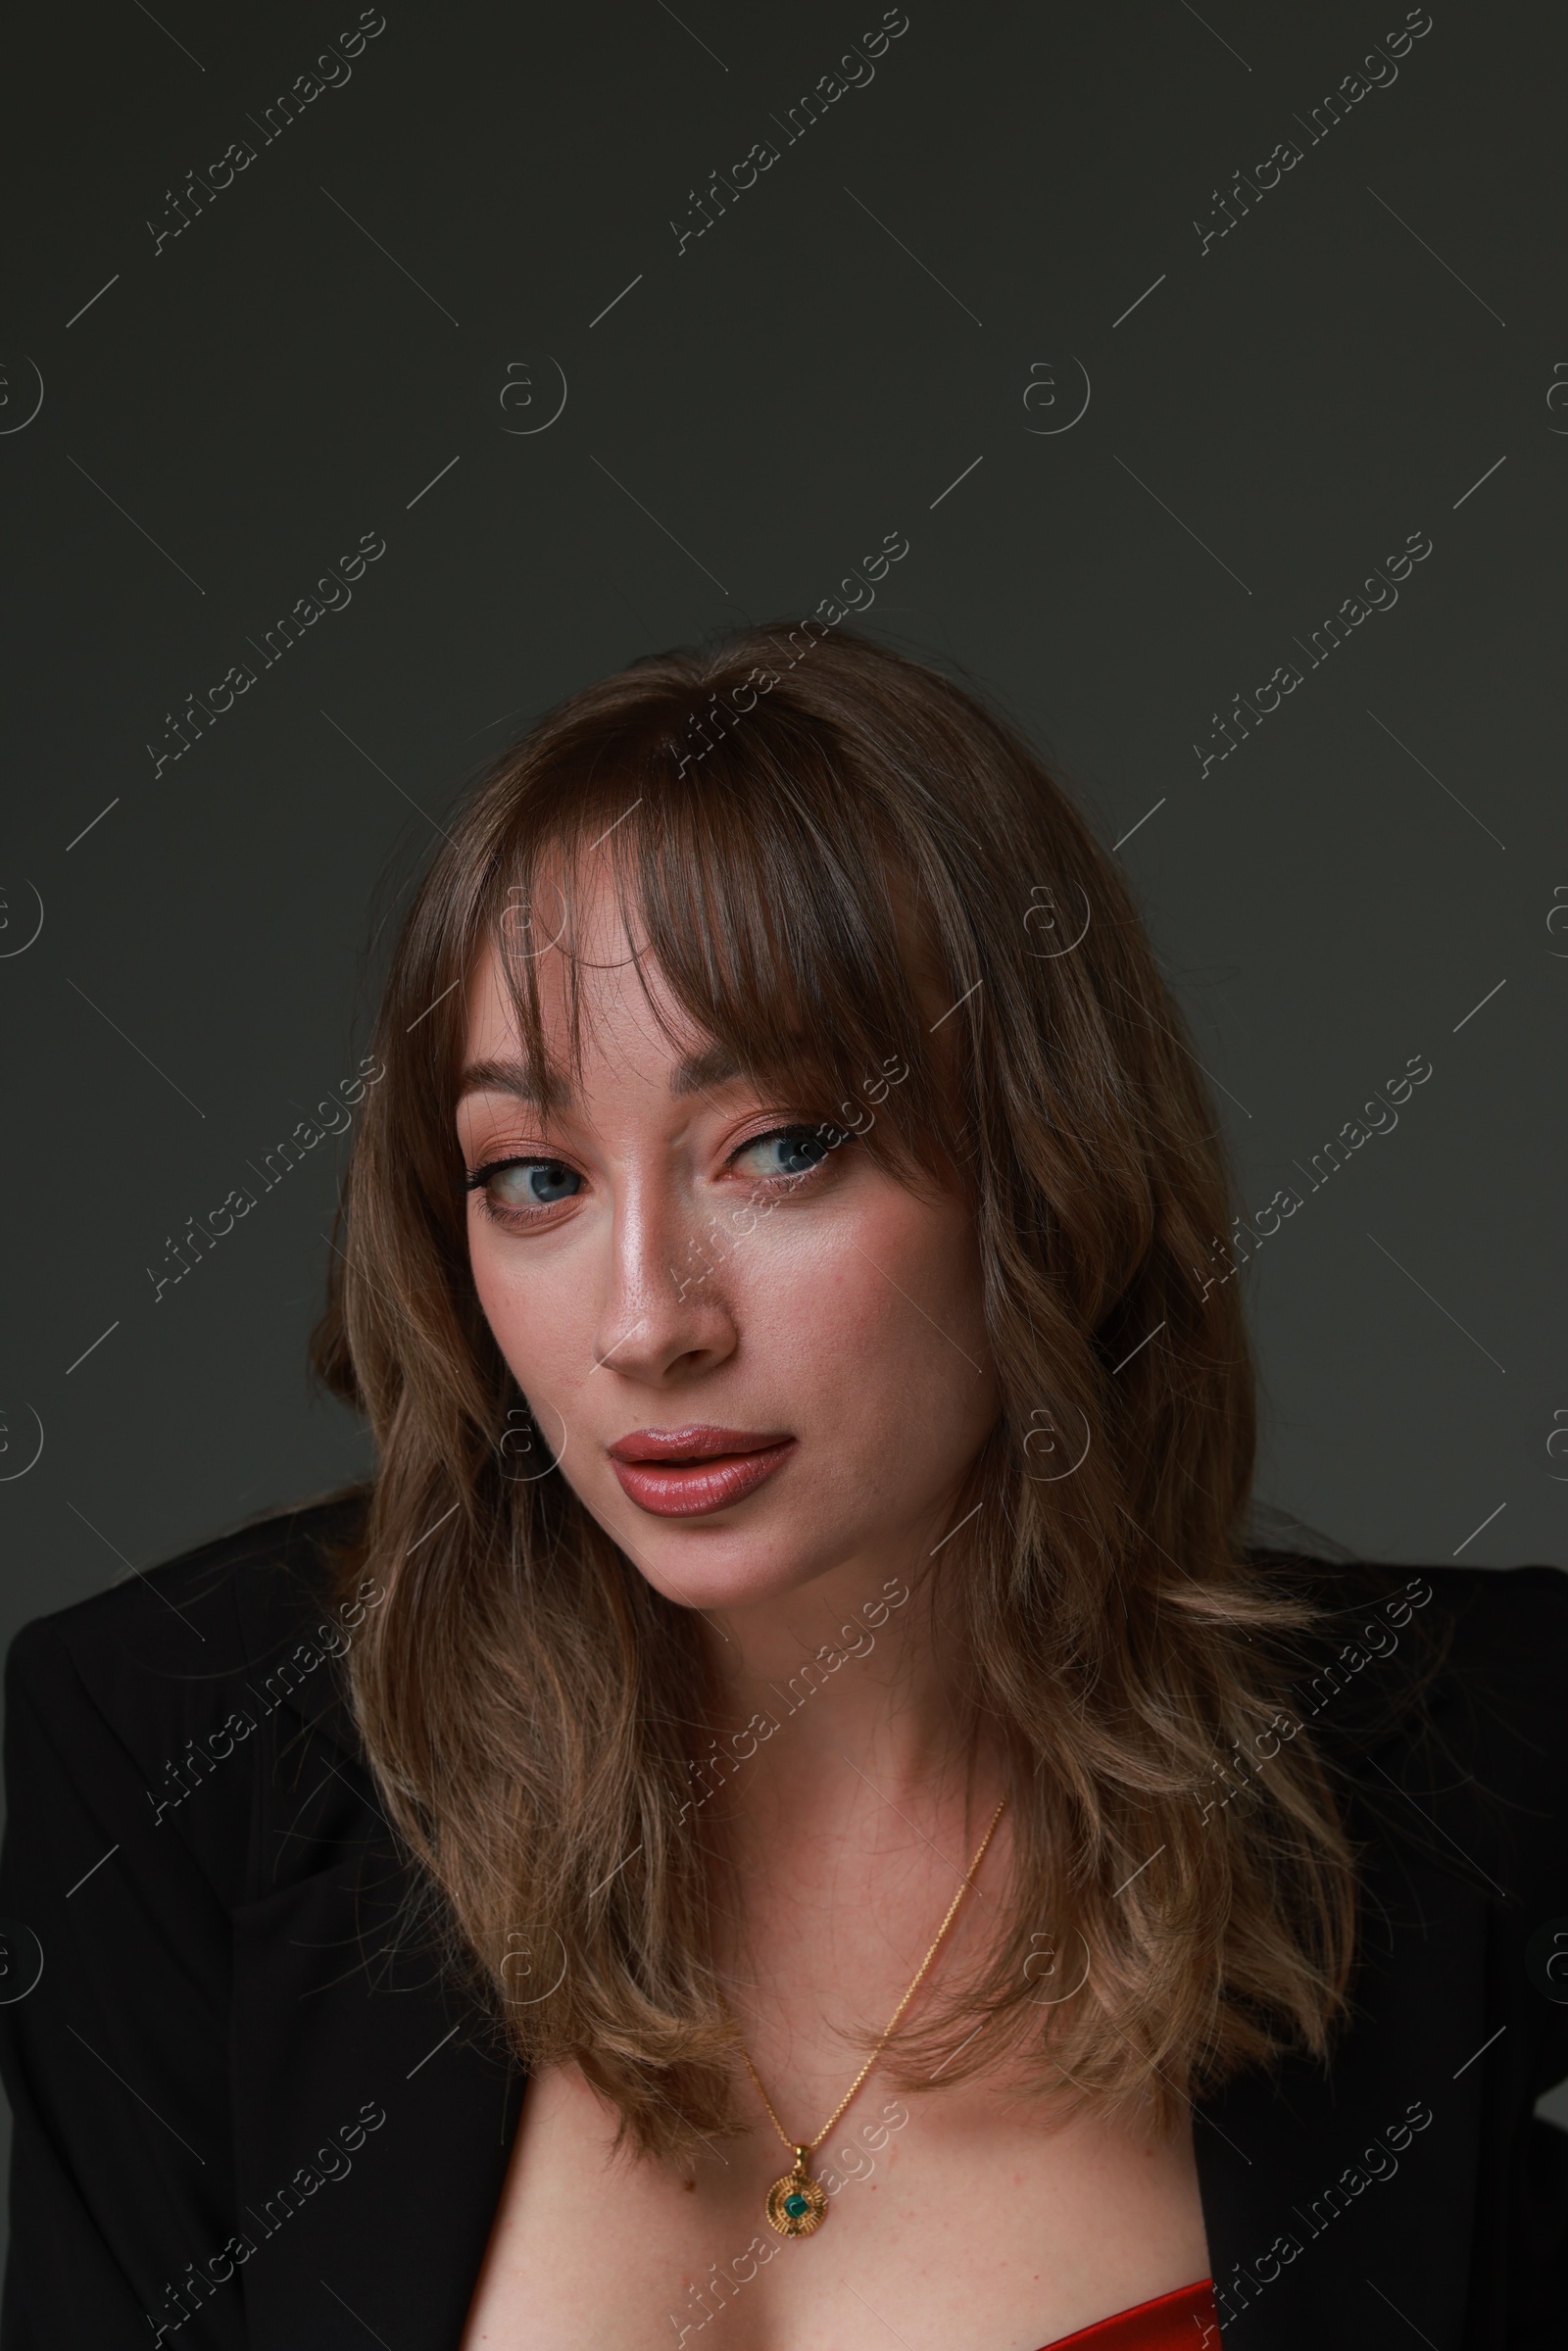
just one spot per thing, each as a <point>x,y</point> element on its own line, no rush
<point>116,2058</point>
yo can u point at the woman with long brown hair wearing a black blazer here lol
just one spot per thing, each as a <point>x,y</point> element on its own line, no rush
<point>798,1699</point>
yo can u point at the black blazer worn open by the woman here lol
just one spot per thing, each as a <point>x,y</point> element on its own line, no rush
<point>250,2112</point>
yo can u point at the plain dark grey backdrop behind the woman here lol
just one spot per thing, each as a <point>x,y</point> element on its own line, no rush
<point>847,351</point>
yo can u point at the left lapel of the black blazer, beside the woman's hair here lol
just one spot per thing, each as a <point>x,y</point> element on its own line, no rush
<point>375,2105</point>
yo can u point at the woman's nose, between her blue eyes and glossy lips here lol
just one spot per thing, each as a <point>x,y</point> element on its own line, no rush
<point>666,1311</point>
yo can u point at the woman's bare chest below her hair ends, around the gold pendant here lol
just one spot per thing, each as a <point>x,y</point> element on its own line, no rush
<point>965,2216</point>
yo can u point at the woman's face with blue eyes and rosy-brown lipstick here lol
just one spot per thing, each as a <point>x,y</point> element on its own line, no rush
<point>678,1268</point>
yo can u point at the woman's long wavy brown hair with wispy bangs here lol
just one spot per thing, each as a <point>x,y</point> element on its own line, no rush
<point>779,810</point>
